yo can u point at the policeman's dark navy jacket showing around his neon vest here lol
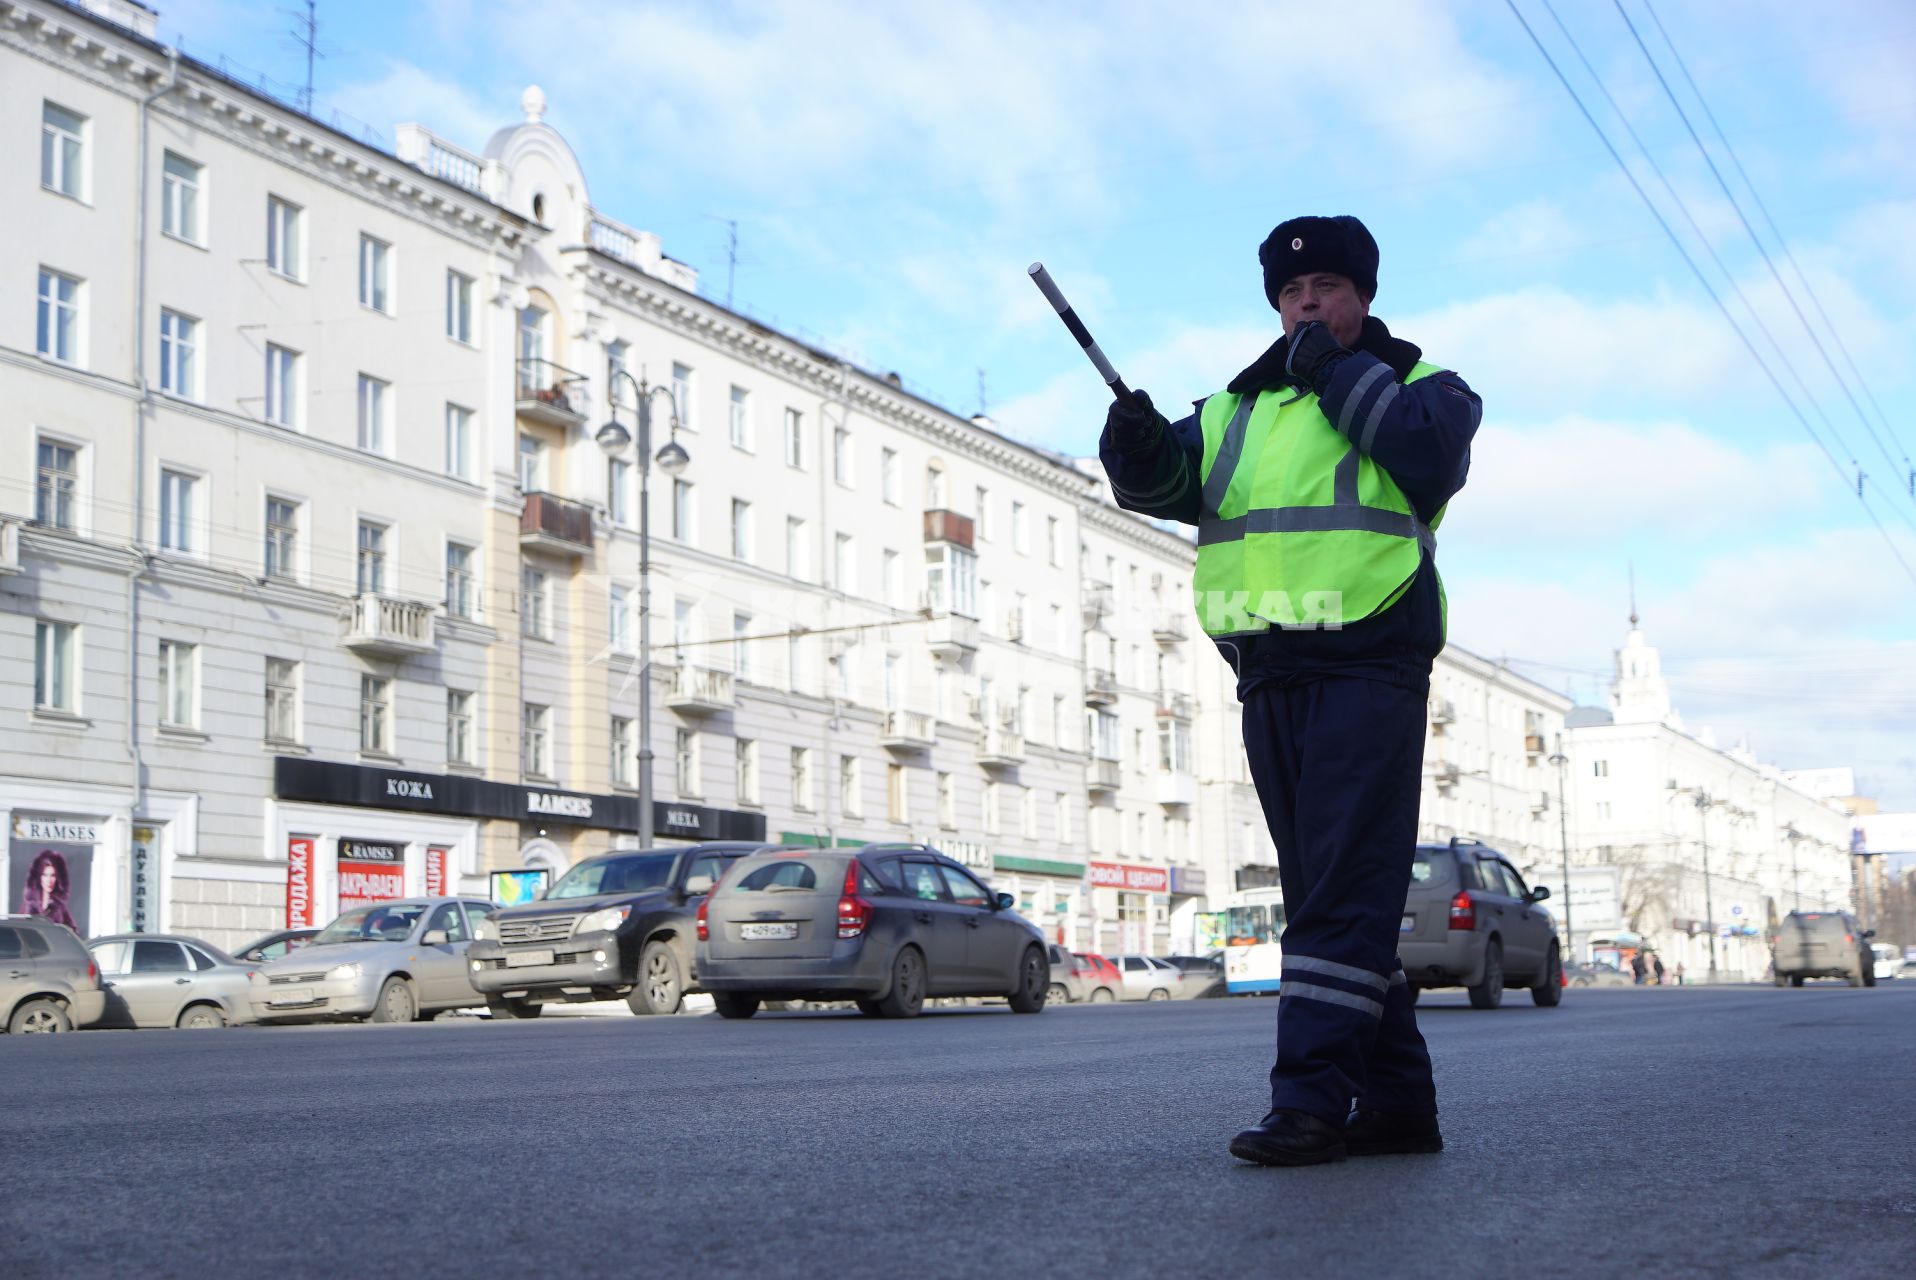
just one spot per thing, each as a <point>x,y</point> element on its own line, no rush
<point>1423,442</point>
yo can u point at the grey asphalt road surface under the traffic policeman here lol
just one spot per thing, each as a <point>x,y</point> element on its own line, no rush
<point>1643,1131</point>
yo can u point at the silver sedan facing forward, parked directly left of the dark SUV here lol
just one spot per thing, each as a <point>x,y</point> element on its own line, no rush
<point>380,963</point>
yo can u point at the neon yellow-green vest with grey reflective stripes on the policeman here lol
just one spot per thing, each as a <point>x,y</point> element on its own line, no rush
<point>1300,528</point>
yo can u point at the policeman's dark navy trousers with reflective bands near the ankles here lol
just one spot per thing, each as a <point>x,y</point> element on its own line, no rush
<point>1338,762</point>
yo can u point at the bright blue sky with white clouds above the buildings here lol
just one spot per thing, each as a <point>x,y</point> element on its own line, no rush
<point>894,170</point>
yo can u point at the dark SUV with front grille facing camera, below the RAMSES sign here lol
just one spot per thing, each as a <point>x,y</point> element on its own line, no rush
<point>612,926</point>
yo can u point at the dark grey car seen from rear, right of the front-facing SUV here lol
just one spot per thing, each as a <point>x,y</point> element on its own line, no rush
<point>884,926</point>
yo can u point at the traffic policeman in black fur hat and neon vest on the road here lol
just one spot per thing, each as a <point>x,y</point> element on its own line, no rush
<point>1317,480</point>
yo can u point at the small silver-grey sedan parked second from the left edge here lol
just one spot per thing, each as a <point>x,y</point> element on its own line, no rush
<point>166,980</point>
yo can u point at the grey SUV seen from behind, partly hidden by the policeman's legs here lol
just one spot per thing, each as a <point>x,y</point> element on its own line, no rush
<point>1472,923</point>
